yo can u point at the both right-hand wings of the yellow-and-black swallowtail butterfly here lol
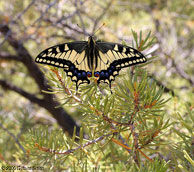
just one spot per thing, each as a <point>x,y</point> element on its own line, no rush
<point>113,57</point>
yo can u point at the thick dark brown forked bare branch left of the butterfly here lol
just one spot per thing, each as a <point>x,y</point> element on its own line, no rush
<point>49,101</point>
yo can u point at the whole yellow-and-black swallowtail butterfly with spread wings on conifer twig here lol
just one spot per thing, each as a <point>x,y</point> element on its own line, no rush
<point>84,59</point>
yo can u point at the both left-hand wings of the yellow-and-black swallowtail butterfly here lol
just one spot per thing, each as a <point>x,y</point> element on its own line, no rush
<point>69,56</point>
